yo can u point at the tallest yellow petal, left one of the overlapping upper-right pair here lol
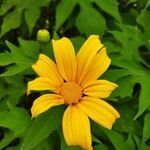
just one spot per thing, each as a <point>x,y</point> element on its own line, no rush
<point>86,54</point>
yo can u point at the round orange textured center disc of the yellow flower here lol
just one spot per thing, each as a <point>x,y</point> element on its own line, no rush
<point>71,92</point>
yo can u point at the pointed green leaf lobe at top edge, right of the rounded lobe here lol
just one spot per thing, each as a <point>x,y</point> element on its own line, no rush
<point>111,7</point>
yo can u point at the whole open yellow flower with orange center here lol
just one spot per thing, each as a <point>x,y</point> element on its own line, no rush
<point>73,80</point>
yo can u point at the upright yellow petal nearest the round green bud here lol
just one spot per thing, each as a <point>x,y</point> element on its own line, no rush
<point>65,58</point>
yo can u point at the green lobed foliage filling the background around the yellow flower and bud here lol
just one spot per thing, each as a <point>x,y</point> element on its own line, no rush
<point>124,28</point>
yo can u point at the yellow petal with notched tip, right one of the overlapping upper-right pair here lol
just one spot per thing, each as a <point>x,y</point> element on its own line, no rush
<point>97,67</point>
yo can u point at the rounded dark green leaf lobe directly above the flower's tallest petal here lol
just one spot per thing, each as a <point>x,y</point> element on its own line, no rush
<point>90,21</point>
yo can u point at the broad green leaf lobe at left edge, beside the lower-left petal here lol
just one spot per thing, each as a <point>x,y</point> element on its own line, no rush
<point>16,119</point>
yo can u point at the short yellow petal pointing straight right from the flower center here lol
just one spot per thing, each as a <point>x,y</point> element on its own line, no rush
<point>99,88</point>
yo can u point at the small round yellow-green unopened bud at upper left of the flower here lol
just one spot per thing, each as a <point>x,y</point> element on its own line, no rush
<point>43,36</point>
